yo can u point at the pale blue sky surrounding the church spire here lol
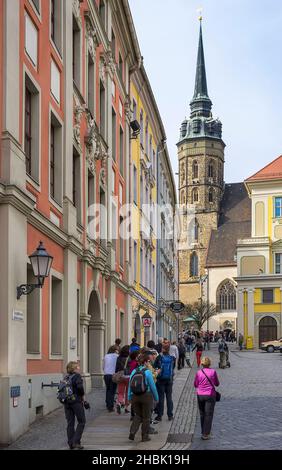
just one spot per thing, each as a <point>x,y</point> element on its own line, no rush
<point>242,43</point>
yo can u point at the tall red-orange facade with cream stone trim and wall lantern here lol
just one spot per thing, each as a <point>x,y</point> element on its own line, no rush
<point>65,140</point>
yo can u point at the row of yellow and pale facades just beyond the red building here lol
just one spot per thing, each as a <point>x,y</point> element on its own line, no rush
<point>151,281</point>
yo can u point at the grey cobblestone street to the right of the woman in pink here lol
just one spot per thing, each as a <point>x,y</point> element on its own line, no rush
<point>249,413</point>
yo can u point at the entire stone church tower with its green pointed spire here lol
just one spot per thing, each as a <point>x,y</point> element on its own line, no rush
<point>201,180</point>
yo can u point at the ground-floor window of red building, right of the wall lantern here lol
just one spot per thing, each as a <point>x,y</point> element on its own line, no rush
<point>56,317</point>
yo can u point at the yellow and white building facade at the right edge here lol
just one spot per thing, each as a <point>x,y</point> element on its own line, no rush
<point>259,260</point>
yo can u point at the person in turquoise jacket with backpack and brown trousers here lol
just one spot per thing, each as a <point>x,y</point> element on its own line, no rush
<point>141,392</point>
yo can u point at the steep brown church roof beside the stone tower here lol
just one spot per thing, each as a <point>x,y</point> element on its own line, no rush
<point>234,224</point>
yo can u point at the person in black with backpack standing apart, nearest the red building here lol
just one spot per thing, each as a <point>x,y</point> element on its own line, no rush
<point>71,395</point>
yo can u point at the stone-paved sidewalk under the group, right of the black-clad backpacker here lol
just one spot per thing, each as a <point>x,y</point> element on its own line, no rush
<point>110,431</point>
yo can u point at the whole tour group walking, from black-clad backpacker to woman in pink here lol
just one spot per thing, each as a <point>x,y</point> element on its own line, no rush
<point>143,378</point>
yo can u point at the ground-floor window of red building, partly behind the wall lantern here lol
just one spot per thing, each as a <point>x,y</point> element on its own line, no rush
<point>33,314</point>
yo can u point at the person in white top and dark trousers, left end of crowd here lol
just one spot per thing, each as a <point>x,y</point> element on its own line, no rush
<point>109,367</point>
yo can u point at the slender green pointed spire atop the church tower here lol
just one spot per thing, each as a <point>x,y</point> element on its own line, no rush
<point>201,104</point>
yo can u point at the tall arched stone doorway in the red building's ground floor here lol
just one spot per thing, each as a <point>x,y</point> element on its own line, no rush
<point>95,339</point>
